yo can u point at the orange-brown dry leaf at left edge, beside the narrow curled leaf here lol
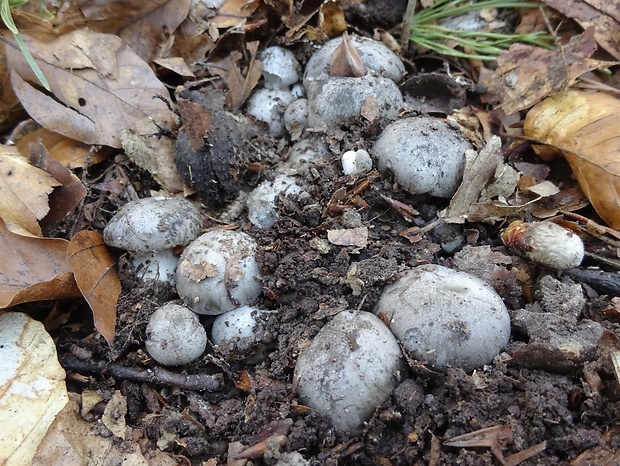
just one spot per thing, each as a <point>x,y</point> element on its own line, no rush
<point>33,269</point>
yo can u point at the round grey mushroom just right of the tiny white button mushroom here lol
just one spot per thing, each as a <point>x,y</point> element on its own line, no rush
<point>424,155</point>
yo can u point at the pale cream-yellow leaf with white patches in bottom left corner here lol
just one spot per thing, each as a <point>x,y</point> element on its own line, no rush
<point>32,387</point>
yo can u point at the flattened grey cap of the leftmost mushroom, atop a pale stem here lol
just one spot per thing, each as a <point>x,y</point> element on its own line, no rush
<point>153,224</point>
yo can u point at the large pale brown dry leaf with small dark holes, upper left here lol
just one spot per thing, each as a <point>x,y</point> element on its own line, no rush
<point>100,88</point>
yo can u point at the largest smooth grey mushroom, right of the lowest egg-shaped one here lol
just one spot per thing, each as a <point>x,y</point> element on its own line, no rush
<point>445,317</point>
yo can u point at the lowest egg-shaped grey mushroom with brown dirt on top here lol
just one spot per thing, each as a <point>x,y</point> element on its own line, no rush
<point>349,369</point>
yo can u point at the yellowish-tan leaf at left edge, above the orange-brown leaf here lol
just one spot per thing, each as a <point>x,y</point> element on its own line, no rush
<point>24,191</point>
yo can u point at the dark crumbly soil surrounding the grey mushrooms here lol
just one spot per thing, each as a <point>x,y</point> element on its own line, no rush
<point>554,383</point>
